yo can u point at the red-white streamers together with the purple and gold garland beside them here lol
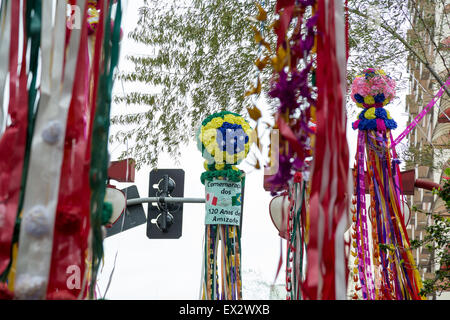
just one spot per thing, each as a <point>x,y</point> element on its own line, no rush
<point>309,83</point>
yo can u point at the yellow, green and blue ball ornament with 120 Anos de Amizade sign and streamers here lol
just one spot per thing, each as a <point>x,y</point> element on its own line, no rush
<point>224,140</point>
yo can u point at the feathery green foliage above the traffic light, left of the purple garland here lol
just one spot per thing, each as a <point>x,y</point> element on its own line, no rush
<point>203,62</point>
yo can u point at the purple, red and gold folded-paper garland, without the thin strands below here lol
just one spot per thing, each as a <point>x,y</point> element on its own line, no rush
<point>293,87</point>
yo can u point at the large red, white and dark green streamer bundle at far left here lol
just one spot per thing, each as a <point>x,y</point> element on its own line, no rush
<point>51,193</point>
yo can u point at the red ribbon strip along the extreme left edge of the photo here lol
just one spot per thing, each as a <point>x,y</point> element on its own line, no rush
<point>13,141</point>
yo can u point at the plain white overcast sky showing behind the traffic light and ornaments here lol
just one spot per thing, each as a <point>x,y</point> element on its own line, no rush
<point>170,269</point>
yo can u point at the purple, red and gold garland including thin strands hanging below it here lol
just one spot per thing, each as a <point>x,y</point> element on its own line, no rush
<point>292,85</point>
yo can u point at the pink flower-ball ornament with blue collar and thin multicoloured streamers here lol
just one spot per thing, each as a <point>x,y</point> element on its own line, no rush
<point>384,267</point>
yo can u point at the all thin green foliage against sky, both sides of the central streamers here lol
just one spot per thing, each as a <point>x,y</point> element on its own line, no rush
<point>203,55</point>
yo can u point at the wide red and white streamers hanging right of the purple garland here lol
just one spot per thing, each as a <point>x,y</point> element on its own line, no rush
<point>326,271</point>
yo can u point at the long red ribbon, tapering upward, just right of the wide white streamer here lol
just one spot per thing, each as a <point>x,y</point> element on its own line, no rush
<point>71,232</point>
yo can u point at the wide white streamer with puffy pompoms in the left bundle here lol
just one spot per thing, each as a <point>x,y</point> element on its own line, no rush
<point>34,255</point>
